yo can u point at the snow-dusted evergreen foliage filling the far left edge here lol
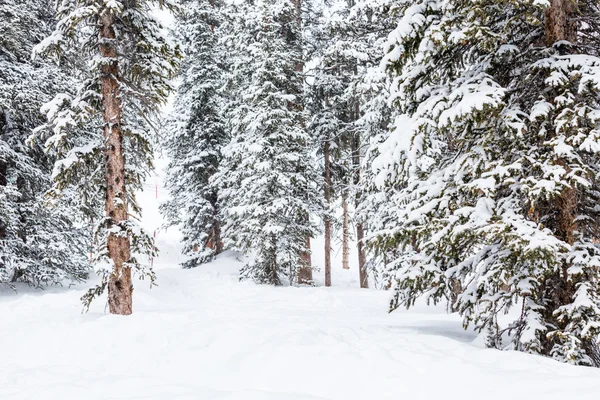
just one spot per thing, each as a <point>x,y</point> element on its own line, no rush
<point>40,242</point>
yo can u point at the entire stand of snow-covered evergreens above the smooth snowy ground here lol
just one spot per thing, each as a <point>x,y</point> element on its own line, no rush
<point>447,149</point>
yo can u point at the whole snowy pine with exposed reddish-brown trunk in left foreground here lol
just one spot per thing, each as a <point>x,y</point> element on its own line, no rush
<point>124,79</point>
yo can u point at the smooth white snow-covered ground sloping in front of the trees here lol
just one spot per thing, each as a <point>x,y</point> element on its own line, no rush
<point>204,335</point>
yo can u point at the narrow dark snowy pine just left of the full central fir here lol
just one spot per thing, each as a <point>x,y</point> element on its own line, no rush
<point>197,132</point>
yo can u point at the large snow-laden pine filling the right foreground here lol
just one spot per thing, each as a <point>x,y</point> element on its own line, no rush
<point>491,174</point>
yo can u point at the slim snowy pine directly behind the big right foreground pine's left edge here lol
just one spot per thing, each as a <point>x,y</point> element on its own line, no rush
<point>366,26</point>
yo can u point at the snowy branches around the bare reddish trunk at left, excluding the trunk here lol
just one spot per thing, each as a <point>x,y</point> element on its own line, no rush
<point>146,60</point>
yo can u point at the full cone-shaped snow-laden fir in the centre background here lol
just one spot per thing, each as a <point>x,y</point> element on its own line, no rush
<point>268,182</point>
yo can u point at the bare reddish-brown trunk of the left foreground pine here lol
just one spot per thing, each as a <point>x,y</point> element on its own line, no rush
<point>120,287</point>
